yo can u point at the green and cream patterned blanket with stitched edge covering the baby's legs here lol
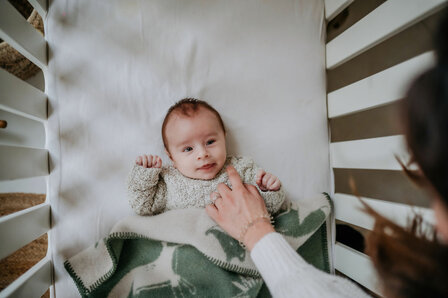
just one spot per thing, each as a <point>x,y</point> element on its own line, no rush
<point>183,253</point>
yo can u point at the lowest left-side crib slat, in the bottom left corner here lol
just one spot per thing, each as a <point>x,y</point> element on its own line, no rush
<point>33,283</point>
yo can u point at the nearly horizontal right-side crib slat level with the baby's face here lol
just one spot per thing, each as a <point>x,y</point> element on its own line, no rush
<point>375,153</point>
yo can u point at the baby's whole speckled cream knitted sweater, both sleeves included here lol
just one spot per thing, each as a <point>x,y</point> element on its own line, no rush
<point>154,190</point>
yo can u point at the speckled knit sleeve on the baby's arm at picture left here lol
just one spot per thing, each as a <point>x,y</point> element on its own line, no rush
<point>146,190</point>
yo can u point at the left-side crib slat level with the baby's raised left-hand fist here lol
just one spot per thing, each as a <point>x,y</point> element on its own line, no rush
<point>22,162</point>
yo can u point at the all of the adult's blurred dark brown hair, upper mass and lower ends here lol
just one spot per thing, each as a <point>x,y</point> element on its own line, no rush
<point>409,263</point>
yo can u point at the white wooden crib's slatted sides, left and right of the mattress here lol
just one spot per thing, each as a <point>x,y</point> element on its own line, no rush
<point>369,65</point>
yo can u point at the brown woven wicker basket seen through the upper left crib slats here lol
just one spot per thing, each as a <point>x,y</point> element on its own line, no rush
<point>14,62</point>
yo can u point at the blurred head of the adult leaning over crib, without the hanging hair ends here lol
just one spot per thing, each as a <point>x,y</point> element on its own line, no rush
<point>425,119</point>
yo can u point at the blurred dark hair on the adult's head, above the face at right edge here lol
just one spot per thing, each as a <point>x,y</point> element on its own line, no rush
<point>425,117</point>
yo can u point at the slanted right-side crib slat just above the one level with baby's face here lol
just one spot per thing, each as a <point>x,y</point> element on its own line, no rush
<point>379,89</point>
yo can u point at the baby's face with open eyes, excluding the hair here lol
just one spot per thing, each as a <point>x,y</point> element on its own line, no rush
<point>197,144</point>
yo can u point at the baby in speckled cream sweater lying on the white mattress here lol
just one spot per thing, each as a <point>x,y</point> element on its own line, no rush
<point>195,140</point>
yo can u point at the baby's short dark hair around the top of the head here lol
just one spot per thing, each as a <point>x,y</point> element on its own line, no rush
<point>188,107</point>
